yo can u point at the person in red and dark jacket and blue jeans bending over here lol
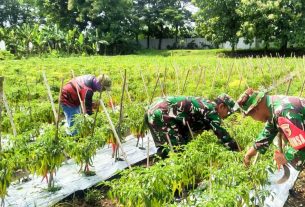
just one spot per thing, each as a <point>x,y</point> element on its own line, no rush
<point>77,95</point>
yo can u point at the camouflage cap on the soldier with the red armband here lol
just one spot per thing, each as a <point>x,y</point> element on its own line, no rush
<point>249,99</point>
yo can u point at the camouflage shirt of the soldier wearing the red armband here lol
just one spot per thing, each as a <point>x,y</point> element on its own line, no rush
<point>292,108</point>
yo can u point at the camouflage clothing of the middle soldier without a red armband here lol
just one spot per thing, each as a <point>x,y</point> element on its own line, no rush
<point>170,115</point>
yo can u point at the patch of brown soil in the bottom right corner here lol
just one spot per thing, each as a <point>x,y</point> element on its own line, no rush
<point>297,195</point>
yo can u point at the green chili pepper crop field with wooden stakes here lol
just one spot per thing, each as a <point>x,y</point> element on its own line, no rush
<point>202,173</point>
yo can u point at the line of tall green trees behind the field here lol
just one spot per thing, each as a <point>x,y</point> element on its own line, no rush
<point>115,26</point>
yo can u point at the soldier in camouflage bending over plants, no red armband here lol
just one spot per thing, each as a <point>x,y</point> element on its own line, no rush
<point>170,118</point>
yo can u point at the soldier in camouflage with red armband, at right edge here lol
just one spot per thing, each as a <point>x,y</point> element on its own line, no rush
<point>283,114</point>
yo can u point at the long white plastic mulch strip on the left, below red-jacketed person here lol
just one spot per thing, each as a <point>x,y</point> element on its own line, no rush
<point>33,193</point>
